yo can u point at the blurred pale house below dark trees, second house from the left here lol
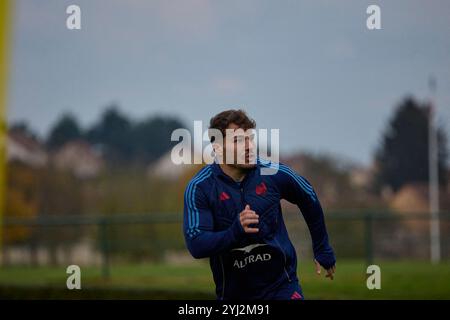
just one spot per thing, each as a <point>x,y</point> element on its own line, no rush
<point>79,157</point>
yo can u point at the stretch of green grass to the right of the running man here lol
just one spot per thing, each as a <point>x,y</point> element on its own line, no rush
<point>399,280</point>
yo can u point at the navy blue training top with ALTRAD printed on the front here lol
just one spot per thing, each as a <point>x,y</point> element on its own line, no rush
<point>244,265</point>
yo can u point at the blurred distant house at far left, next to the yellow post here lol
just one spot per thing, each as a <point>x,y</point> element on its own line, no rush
<point>25,149</point>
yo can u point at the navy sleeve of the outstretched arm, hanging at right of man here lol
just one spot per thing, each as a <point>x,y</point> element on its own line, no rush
<point>296,189</point>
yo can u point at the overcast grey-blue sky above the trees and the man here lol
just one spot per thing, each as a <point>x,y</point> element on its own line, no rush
<point>310,68</point>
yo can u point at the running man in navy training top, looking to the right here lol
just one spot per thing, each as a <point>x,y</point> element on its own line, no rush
<point>232,214</point>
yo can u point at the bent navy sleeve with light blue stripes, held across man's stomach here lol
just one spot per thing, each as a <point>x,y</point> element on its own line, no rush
<point>202,241</point>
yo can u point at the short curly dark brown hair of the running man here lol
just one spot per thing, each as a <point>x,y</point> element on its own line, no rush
<point>222,120</point>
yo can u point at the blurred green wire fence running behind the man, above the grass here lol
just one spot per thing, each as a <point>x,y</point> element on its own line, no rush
<point>124,239</point>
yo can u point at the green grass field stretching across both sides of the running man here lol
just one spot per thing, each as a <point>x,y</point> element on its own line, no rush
<point>399,280</point>
